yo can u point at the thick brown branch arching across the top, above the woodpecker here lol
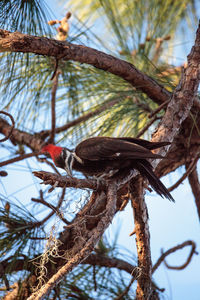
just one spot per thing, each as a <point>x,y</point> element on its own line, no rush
<point>18,42</point>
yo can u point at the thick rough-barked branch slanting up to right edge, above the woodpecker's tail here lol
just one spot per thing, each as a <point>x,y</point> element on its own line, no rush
<point>183,97</point>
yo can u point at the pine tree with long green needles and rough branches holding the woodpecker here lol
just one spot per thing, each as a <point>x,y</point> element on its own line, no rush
<point>57,88</point>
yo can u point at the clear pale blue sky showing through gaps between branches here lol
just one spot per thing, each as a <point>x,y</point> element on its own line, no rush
<point>170,223</point>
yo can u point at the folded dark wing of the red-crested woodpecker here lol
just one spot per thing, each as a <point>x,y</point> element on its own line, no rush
<point>101,148</point>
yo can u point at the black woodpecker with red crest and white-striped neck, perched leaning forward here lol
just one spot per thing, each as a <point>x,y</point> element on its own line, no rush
<point>110,158</point>
